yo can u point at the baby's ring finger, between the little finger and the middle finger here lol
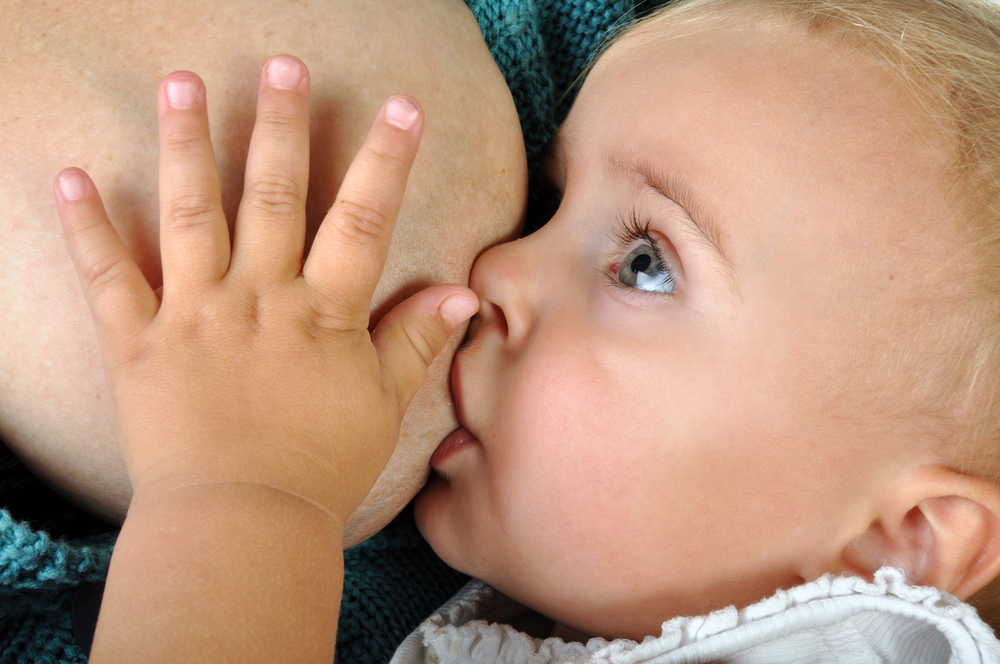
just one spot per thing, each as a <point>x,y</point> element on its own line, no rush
<point>194,236</point>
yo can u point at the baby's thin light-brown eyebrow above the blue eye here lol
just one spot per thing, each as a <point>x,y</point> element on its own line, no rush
<point>674,189</point>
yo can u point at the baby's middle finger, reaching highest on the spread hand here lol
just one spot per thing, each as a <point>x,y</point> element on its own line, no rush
<point>271,224</point>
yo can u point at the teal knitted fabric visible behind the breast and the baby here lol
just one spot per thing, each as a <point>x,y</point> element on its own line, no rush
<point>393,581</point>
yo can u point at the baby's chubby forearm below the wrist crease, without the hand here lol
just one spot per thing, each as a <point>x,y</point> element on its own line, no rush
<point>222,573</point>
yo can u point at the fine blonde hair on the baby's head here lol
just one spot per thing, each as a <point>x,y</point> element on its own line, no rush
<point>946,53</point>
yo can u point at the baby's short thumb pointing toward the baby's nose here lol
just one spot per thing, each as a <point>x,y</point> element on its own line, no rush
<point>410,336</point>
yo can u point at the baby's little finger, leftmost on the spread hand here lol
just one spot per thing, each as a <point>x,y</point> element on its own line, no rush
<point>117,292</point>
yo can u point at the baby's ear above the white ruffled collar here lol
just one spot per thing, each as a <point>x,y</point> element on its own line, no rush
<point>942,528</point>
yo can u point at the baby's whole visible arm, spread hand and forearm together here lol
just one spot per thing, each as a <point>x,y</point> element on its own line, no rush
<point>276,408</point>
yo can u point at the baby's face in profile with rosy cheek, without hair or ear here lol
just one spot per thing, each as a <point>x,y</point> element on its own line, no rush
<point>670,387</point>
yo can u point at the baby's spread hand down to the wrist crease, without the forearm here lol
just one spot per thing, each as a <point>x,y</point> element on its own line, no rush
<point>254,368</point>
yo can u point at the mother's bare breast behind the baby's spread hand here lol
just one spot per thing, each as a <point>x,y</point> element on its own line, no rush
<point>80,88</point>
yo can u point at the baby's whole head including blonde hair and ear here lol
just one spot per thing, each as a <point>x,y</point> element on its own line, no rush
<point>755,344</point>
